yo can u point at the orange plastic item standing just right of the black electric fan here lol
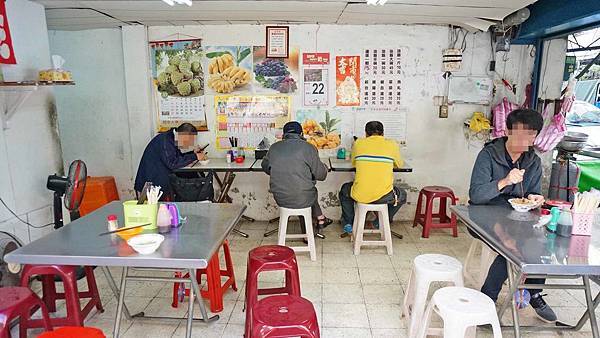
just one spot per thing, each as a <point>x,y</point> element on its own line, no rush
<point>99,191</point>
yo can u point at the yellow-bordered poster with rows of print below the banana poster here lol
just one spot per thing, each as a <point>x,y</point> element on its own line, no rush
<point>250,118</point>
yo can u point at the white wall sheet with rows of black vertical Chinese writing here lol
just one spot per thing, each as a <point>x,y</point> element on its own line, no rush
<point>382,69</point>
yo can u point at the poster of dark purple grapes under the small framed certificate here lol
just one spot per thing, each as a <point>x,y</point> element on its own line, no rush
<point>273,76</point>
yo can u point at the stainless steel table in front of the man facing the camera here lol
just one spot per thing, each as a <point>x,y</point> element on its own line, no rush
<point>538,253</point>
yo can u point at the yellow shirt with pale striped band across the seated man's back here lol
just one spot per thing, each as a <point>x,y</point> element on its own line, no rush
<point>374,158</point>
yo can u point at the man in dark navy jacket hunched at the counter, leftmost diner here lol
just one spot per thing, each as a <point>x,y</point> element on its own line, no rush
<point>164,154</point>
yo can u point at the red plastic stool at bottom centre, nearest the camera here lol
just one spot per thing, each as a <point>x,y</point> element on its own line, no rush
<point>284,316</point>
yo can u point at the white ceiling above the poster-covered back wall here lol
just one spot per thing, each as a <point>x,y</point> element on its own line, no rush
<point>471,14</point>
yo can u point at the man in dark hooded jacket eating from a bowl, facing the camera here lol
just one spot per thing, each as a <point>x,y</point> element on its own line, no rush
<point>506,168</point>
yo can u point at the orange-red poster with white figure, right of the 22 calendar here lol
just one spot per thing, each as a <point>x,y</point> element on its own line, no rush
<point>347,80</point>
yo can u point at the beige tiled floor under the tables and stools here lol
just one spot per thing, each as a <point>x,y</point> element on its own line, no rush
<point>354,296</point>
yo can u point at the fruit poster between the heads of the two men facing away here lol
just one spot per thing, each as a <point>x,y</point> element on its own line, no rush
<point>321,128</point>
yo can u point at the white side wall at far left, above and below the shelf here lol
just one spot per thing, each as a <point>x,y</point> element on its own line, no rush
<point>29,148</point>
